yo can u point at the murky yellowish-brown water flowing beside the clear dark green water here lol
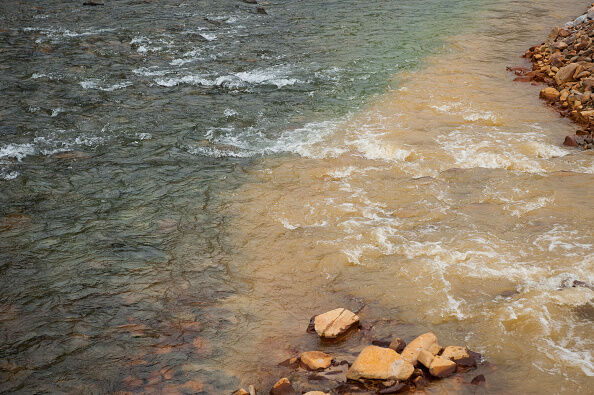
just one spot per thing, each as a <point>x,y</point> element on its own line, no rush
<point>446,205</point>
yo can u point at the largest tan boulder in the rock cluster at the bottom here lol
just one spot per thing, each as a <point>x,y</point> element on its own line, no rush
<point>381,364</point>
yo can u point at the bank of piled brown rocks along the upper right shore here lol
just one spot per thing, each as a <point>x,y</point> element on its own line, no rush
<point>565,62</point>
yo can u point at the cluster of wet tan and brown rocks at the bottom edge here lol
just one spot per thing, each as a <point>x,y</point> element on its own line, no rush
<point>382,367</point>
